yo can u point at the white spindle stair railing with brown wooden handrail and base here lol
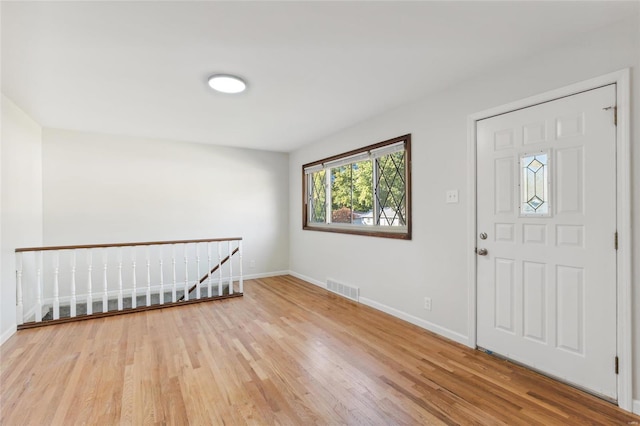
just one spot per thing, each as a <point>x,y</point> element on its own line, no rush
<point>63,283</point>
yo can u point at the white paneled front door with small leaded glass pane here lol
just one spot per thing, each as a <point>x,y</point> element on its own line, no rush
<point>546,221</point>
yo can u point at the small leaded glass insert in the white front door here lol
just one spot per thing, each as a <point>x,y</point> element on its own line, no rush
<point>535,184</point>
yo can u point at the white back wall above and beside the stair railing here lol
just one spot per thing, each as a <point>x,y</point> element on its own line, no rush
<point>108,189</point>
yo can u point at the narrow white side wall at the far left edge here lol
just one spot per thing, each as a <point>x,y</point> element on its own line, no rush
<point>21,198</point>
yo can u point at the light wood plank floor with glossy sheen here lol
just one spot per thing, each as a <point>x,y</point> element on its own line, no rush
<point>285,353</point>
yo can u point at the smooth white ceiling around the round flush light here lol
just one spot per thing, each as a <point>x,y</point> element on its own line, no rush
<point>313,68</point>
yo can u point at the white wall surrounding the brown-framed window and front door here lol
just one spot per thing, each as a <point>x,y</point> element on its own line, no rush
<point>397,275</point>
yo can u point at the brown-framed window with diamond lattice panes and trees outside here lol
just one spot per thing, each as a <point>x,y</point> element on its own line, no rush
<point>365,191</point>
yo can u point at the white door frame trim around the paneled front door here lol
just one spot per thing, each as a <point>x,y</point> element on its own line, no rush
<point>623,208</point>
